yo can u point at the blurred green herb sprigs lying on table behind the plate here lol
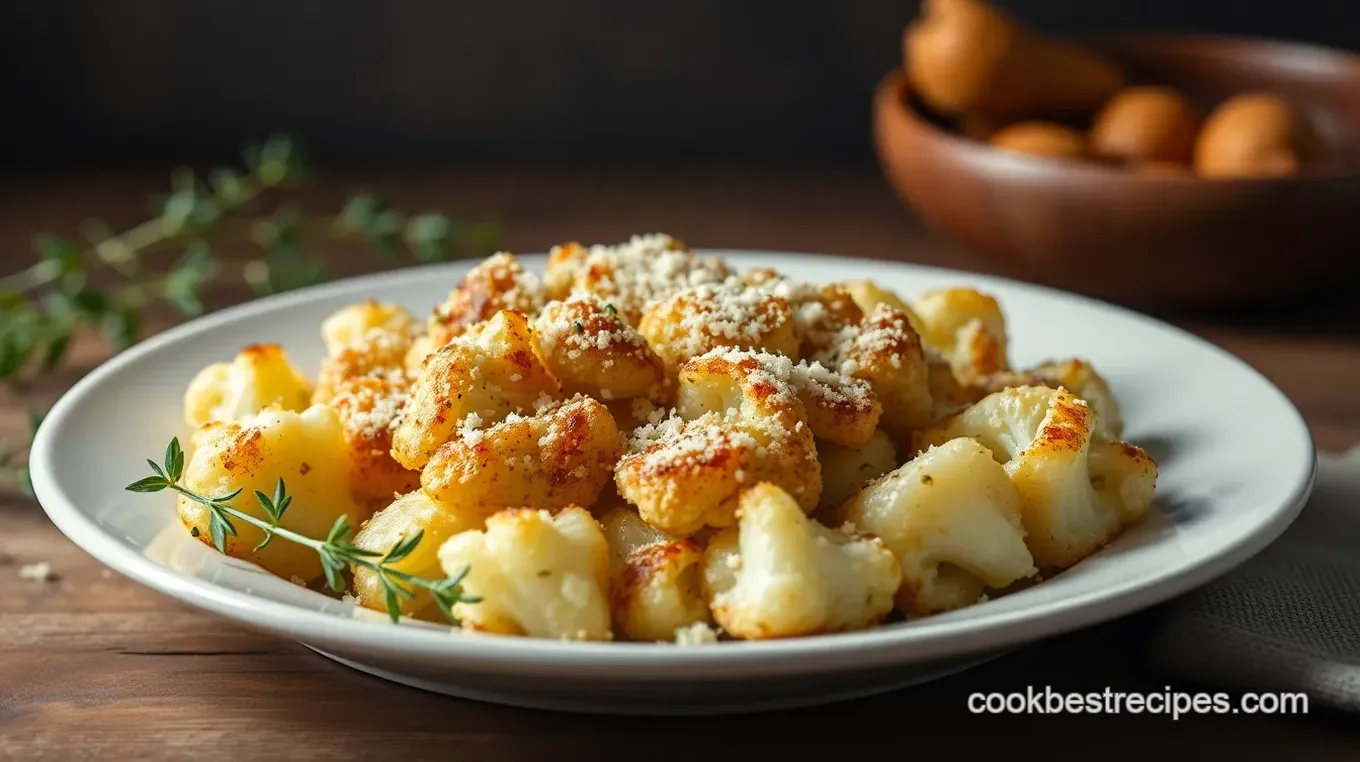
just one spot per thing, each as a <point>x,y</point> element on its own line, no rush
<point>109,280</point>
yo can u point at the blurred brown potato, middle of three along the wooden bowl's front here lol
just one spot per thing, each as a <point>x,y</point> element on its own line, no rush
<point>1146,125</point>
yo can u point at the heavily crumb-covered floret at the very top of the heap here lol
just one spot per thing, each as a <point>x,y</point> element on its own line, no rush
<point>633,276</point>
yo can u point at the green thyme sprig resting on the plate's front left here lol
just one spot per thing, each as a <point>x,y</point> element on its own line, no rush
<point>337,552</point>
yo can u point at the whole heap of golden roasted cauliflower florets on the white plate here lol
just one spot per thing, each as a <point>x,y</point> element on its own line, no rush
<point>645,443</point>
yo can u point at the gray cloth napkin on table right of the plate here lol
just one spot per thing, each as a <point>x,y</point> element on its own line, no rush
<point>1290,618</point>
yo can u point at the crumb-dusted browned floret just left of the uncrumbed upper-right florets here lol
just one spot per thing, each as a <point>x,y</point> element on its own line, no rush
<point>886,353</point>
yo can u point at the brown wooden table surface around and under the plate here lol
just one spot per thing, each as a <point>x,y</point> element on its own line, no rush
<point>93,666</point>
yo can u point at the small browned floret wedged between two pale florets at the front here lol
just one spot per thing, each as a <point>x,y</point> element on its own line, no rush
<point>658,582</point>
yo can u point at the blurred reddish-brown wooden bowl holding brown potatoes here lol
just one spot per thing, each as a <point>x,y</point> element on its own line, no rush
<point>1153,239</point>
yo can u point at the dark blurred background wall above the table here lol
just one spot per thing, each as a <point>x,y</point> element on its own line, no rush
<point>532,81</point>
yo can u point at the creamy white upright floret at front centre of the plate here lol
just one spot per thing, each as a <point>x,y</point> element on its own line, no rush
<point>780,575</point>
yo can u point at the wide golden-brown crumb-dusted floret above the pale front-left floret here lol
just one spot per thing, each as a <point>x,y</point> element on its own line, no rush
<point>564,455</point>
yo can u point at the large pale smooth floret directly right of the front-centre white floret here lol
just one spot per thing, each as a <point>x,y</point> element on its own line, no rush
<point>953,520</point>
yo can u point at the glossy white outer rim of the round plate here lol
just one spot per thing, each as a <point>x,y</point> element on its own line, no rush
<point>879,646</point>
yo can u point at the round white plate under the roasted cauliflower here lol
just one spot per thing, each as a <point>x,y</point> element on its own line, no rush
<point>1237,466</point>
